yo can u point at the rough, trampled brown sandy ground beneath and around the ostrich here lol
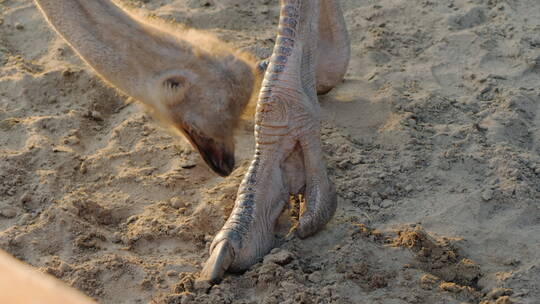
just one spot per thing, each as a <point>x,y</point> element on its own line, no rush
<point>433,141</point>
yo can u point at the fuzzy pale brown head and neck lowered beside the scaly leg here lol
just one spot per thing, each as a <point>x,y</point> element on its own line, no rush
<point>194,82</point>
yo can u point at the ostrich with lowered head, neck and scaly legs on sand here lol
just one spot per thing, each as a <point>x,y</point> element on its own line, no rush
<point>200,86</point>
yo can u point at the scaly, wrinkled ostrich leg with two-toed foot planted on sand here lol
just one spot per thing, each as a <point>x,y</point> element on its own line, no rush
<point>287,134</point>
